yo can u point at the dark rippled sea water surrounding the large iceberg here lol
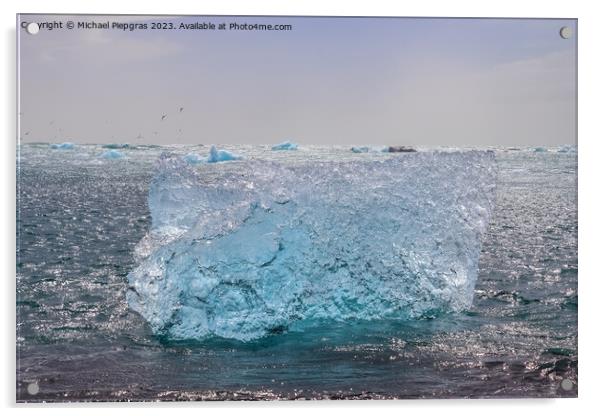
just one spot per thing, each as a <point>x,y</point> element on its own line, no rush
<point>79,217</point>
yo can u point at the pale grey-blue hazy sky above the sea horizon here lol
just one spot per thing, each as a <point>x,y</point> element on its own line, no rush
<point>457,82</point>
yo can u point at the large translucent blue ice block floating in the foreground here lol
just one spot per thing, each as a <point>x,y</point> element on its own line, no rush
<point>247,252</point>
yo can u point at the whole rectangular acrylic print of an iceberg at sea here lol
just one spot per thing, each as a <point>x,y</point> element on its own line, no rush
<point>339,208</point>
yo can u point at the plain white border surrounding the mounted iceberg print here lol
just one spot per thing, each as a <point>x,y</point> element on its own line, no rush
<point>590,24</point>
